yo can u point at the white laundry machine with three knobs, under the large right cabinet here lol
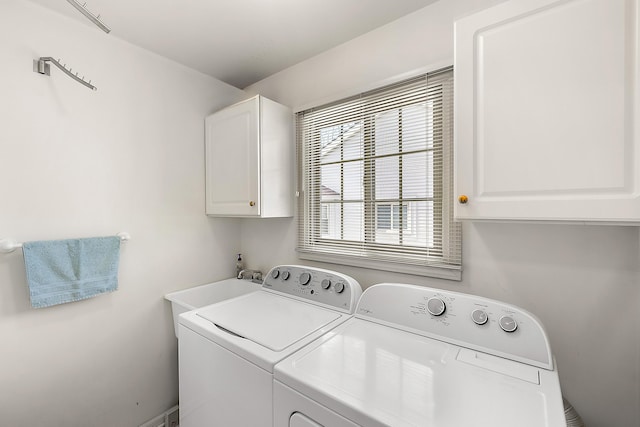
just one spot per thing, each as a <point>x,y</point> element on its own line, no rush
<point>417,356</point>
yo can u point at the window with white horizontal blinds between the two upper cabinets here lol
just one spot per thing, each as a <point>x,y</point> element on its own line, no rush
<point>376,179</point>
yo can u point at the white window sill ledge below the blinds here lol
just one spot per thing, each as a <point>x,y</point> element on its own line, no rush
<point>436,272</point>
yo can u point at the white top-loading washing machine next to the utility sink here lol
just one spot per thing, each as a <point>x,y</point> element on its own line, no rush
<point>227,350</point>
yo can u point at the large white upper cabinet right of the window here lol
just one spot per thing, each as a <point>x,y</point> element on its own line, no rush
<point>547,111</point>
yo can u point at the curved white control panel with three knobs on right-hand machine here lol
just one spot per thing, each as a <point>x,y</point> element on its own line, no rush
<point>466,320</point>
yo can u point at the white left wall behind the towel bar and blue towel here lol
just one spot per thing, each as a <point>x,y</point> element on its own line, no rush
<point>77,163</point>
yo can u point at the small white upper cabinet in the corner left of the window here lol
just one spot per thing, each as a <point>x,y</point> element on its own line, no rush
<point>249,160</point>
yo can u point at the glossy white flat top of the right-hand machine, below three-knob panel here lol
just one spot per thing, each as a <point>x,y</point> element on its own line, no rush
<point>377,376</point>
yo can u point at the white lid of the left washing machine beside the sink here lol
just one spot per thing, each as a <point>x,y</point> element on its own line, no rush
<point>272,321</point>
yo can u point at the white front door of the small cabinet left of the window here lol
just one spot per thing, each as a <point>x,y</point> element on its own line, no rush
<point>232,160</point>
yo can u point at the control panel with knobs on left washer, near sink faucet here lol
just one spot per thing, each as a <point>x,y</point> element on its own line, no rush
<point>316,285</point>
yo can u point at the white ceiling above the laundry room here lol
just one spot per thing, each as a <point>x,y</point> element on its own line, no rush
<point>239,41</point>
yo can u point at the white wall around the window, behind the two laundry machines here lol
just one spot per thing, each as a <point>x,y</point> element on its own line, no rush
<point>582,281</point>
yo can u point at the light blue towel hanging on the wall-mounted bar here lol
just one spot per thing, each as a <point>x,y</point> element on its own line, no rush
<point>60,271</point>
